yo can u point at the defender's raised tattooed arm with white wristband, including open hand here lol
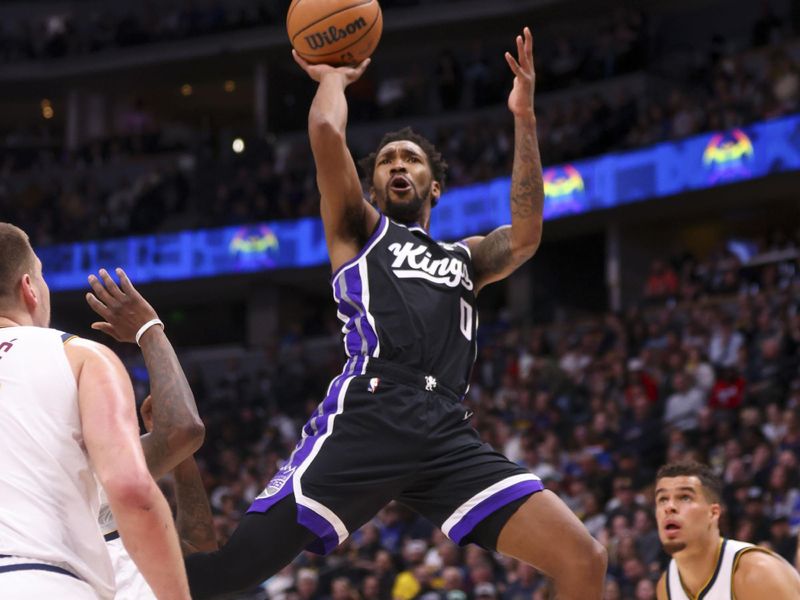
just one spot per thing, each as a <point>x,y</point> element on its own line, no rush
<point>177,430</point>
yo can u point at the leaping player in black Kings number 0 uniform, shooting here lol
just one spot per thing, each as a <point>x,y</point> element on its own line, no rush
<point>392,425</point>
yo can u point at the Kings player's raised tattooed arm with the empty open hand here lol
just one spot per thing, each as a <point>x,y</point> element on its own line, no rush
<point>498,254</point>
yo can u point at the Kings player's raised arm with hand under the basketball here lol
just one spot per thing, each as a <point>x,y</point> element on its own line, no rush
<point>348,218</point>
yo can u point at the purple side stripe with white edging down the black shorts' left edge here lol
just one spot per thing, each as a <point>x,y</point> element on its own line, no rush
<point>283,481</point>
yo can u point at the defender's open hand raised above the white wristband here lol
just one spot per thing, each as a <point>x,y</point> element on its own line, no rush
<point>122,307</point>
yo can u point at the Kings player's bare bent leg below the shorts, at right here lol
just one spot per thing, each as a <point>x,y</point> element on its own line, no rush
<point>545,533</point>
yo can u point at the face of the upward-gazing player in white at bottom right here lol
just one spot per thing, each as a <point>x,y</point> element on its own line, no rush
<point>683,512</point>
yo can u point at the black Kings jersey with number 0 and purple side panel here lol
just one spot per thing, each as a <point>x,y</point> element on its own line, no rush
<point>410,300</point>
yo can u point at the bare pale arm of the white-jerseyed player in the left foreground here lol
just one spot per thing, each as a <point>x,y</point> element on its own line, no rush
<point>111,434</point>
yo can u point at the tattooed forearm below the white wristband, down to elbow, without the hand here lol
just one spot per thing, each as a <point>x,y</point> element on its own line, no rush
<point>174,410</point>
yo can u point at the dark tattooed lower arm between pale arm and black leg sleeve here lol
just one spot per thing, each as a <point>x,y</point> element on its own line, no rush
<point>194,521</point>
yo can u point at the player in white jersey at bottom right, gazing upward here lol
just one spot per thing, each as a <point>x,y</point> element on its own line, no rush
<point>704,564</point>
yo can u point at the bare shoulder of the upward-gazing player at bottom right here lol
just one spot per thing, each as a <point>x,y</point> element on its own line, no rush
<point>763,575</point>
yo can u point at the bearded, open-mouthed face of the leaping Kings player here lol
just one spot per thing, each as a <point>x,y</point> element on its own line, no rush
<point>402,183</point>
